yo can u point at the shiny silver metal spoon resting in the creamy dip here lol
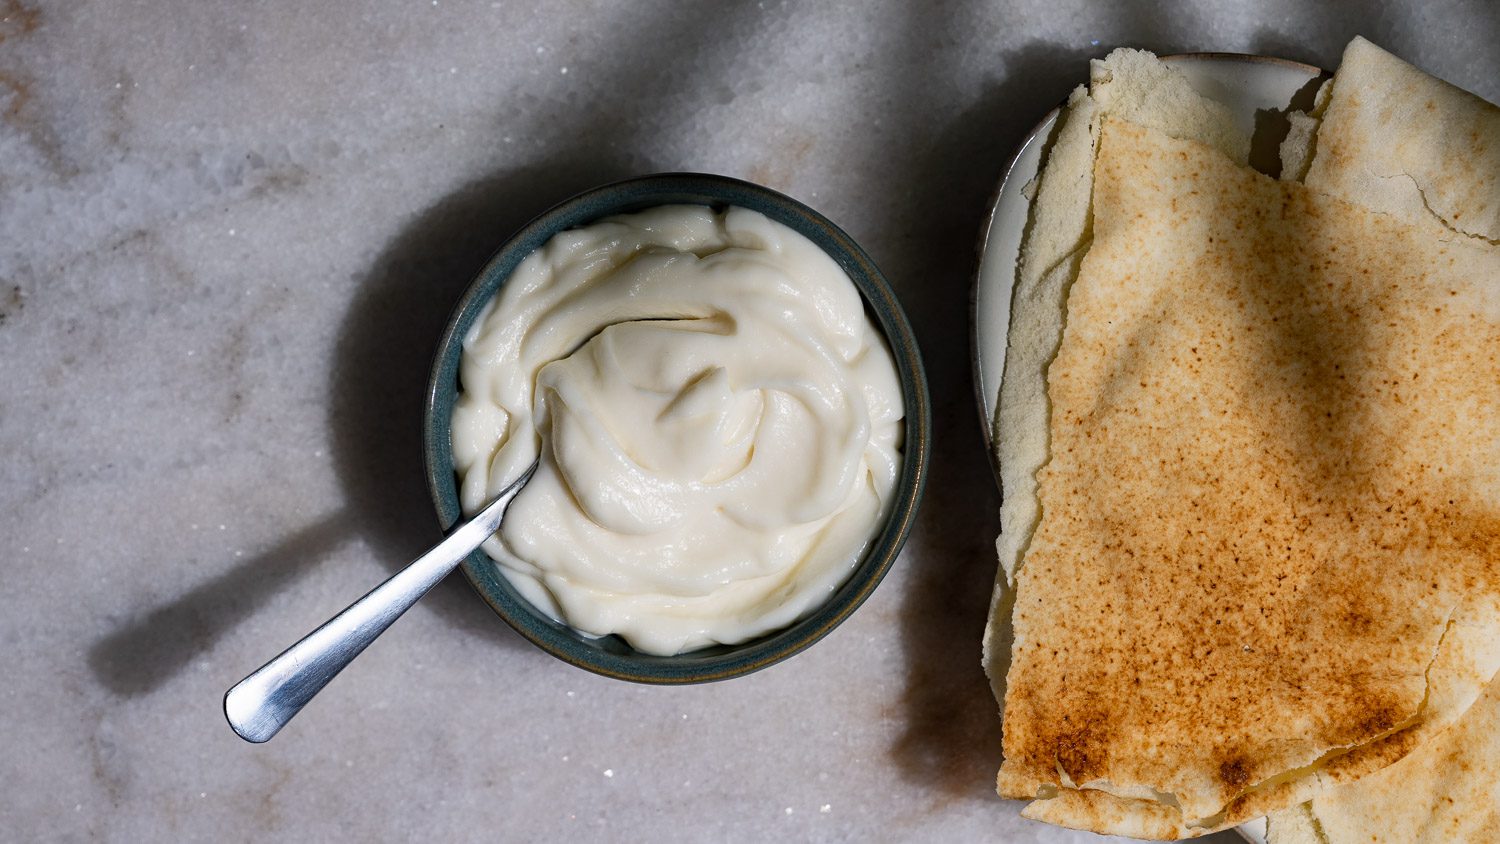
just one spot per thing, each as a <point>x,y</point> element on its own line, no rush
<point>262,704</point>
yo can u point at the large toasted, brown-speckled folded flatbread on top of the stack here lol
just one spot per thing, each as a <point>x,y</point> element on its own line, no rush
<point>1265,501</point>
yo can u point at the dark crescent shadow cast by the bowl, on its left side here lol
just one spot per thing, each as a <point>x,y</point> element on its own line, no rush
<point>385,359</point>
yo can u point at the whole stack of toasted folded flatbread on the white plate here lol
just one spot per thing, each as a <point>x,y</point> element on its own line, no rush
<point>1250,447</point>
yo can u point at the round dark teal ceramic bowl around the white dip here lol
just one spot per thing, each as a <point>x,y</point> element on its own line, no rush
<point>611,656</point>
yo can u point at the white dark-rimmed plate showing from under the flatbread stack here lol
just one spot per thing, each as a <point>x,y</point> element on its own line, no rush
<point>1247,85</point>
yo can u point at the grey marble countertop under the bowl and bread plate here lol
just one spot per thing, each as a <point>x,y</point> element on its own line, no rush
<point>230,235</point>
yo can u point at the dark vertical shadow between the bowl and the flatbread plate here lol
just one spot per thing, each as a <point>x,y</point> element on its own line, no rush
<point>952,741</point>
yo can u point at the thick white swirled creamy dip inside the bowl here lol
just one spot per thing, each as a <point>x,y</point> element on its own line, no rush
<point>719,423</point>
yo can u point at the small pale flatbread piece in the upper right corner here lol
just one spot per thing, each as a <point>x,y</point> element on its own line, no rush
<point>1397,140</point>
